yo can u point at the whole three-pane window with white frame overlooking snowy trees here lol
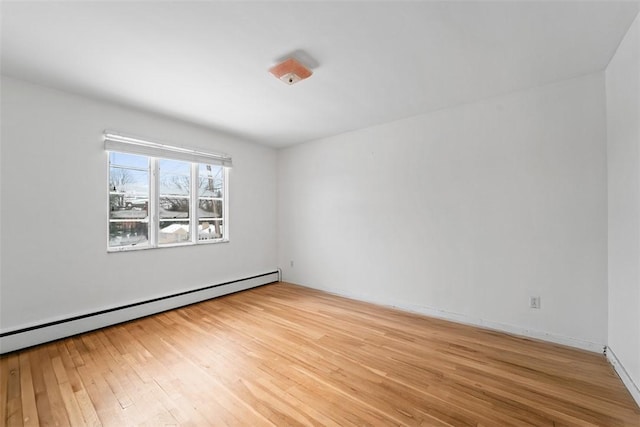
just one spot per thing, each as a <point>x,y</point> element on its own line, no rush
<point>164,200</point>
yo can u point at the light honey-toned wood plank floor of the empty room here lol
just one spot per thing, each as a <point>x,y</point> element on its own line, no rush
<point>286,355</point>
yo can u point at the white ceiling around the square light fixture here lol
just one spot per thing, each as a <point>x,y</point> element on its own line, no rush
<point>373,62</point>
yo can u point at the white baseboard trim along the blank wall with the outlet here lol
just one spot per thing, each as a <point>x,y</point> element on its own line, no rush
<point>486,324</point>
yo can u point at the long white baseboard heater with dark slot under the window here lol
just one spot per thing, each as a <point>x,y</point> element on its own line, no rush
<point>30,335</point>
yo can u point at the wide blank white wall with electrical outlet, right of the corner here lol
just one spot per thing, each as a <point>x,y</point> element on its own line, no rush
<point>463,213</point>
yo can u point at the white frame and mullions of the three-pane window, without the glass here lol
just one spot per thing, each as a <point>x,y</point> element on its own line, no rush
<point>119,143</point>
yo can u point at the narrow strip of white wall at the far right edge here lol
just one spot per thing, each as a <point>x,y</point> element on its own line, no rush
<point>623,154</point>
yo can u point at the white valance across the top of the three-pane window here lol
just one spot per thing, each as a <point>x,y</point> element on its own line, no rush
<point>114,141</point>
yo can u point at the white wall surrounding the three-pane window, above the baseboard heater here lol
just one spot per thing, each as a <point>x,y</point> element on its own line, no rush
<point>54,234</point>
